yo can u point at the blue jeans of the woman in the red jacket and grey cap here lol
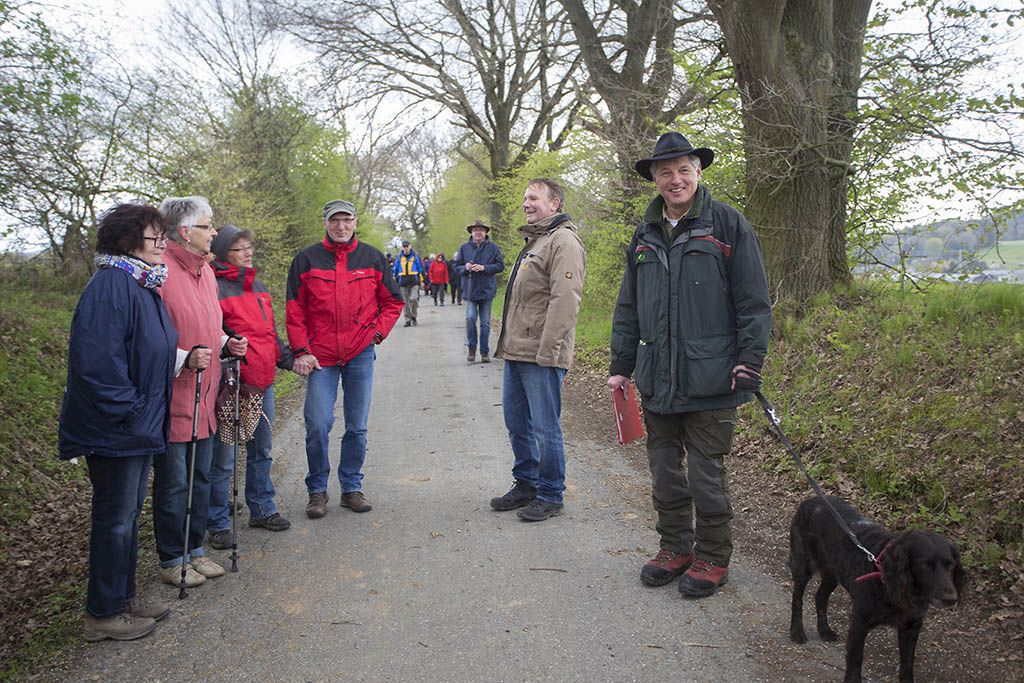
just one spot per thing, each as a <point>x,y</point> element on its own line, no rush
<point>260,489</point>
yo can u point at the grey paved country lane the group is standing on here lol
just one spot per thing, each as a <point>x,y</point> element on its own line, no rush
<point>435,586</point>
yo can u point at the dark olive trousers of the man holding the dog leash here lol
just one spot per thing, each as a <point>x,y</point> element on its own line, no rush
<point>697,491</point>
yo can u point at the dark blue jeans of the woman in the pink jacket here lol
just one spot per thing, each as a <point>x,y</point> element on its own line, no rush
<point>170,497</point>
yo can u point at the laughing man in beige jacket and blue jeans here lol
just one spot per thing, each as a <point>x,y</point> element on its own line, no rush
<point>542,304</point>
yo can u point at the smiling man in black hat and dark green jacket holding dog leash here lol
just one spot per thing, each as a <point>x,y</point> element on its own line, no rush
<point>692,328</point>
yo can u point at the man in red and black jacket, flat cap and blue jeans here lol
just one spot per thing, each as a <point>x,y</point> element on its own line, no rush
<point>343,301</point>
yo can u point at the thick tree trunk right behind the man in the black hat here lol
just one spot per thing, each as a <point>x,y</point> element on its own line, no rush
<point>798,68</point>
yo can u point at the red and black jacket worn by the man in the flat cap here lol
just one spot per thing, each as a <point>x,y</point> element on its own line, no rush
<point>339,297</point>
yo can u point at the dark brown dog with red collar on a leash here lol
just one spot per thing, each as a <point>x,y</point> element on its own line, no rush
<point>918,571</point>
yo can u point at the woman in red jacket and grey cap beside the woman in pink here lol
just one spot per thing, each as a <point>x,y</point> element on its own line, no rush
<point>248,313</point>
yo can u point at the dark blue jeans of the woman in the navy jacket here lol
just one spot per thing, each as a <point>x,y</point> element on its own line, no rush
<point>119,487</point>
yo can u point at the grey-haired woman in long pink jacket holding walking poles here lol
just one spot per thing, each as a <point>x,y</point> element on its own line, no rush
<point>191,296</point>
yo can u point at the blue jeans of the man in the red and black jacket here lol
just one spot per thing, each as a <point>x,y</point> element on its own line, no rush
<point>322,392</point>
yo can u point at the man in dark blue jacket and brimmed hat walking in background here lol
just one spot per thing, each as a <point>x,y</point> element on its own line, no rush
<point>480,262</point>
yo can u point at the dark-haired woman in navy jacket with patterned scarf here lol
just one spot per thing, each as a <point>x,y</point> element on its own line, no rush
<point>121,360</point>
